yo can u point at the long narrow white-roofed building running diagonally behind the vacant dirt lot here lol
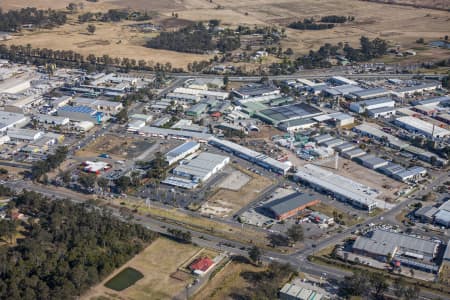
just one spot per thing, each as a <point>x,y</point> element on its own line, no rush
<point>252,156</point>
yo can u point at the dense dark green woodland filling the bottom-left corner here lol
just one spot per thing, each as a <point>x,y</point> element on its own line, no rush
<point>66,248</point>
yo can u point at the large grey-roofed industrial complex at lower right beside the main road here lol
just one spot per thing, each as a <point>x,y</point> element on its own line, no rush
<point>407,250</point>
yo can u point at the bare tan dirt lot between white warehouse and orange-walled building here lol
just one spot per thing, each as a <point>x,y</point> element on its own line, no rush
<point>225,202</point>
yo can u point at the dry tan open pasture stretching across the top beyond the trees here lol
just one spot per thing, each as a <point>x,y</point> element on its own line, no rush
<point>401,25</point>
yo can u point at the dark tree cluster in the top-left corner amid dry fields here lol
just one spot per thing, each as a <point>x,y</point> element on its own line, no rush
<point>13,20</point>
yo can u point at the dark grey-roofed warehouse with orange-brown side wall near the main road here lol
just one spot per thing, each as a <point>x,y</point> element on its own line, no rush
<point>290,205</point>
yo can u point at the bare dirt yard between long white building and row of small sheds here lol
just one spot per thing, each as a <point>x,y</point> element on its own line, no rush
<point>383,184</point>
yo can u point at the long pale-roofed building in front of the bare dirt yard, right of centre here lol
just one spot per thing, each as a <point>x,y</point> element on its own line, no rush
<point>338,186</point>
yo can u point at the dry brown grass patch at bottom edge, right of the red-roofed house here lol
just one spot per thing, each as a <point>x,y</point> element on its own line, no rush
<point>227,281</point>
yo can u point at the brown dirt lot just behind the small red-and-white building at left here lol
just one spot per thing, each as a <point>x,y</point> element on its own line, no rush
<point>117,147</point>
